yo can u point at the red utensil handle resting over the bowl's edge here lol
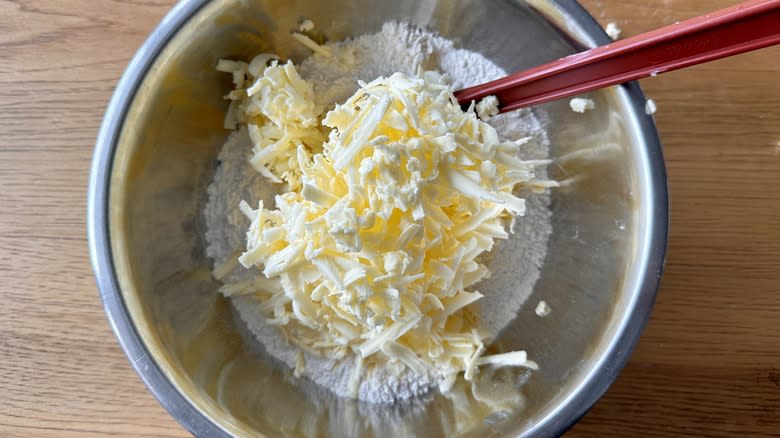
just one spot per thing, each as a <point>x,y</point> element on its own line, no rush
<point>741,28</point>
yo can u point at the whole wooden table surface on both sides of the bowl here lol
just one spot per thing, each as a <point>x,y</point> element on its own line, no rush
<point>708,362</point>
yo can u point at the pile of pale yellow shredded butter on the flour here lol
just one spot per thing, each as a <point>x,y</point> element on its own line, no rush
<point>372,253</point>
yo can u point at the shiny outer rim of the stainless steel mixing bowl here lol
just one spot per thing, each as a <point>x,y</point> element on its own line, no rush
<point>196,422</point>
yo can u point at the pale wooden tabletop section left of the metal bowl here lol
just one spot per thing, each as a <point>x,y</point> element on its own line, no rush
<point>62,372</point>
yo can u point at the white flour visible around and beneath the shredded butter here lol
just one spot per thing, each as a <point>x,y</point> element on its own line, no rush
<point>514,263</point>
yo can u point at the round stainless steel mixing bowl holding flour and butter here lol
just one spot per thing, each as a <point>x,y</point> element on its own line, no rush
<point>156,153</point>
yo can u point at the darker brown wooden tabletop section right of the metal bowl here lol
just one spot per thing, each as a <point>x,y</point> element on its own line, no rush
<point>708,363</point>
